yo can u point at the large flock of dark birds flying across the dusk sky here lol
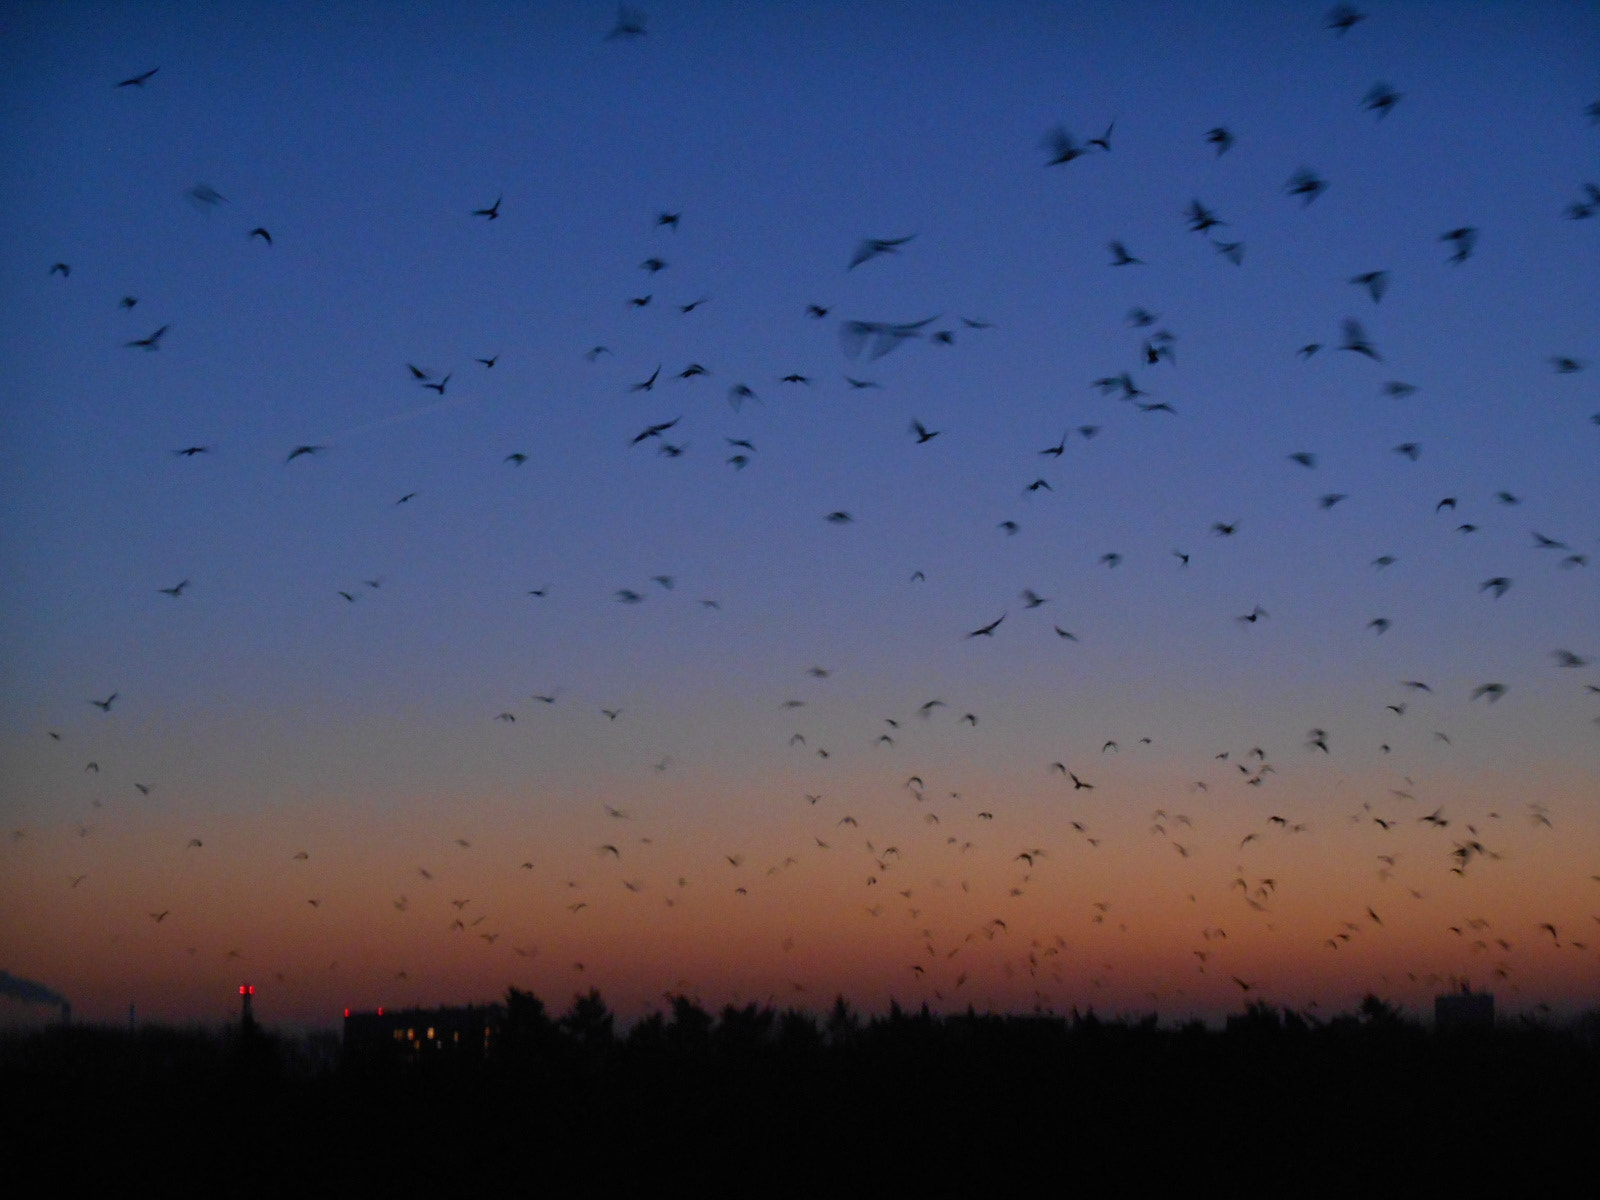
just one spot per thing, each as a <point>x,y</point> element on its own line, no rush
<point>914,863</point>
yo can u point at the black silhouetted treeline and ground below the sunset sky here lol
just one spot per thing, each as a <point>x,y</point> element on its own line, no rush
<point>762,1103</point>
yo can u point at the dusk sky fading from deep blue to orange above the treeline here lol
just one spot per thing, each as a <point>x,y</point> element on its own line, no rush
<point>620,630</point>
